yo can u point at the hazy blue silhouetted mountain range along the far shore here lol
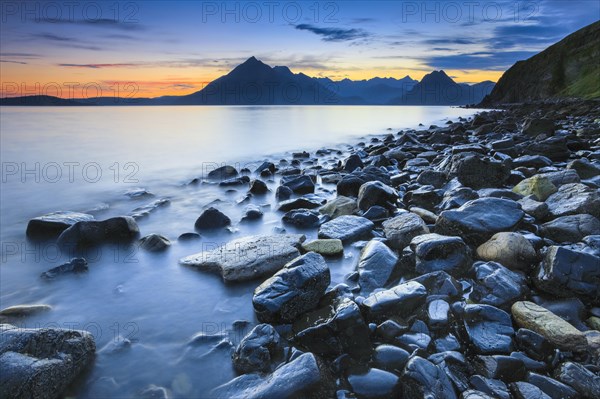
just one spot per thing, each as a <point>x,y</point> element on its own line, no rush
<point>256,83</point>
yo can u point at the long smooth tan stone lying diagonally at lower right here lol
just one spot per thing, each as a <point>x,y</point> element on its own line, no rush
<point>556,330</point>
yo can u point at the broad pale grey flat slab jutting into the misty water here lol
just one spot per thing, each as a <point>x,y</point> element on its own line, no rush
<point>249,257</point>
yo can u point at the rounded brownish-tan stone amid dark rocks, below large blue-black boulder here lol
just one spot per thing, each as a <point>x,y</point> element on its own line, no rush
<point>510,249</point>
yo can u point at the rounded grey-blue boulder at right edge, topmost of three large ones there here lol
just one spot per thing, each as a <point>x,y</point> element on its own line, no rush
<point>572,199</point>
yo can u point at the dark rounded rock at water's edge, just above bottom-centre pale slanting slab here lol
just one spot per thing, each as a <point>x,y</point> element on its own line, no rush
<point>259,351</point>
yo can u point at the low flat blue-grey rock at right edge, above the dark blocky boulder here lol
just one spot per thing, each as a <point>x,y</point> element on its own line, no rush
<point>571,228</point>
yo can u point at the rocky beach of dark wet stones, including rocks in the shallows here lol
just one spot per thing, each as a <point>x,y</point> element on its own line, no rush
<point>477,276</point>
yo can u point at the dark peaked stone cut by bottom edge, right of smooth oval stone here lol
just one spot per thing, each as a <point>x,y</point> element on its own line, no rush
<point>423,379</point>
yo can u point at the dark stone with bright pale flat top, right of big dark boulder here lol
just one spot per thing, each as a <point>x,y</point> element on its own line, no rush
<point>402,300</point>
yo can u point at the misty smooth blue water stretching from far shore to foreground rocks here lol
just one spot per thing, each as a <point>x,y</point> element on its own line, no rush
<point>86,158</point>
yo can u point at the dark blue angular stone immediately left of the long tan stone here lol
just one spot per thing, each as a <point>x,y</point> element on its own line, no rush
<point>489,329</point>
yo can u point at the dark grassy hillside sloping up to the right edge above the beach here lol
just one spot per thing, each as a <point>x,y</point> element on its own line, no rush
<point>569,68</point>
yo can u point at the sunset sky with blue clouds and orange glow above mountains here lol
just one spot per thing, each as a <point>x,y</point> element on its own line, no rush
<point>154,48</point>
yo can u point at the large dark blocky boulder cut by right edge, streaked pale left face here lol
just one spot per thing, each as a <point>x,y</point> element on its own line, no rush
<point>564,272</point>
